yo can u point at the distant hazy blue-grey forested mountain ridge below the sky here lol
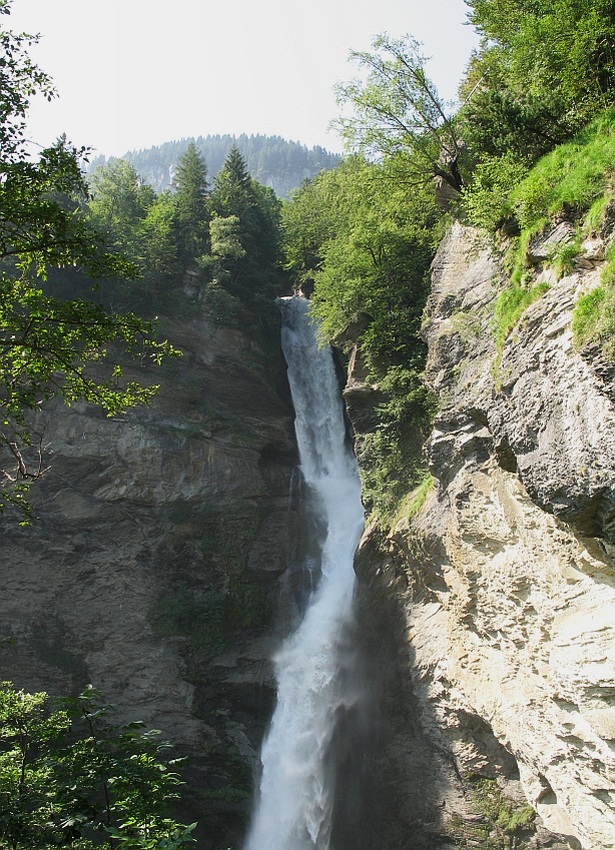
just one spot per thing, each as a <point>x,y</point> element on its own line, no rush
<point>271,160</point>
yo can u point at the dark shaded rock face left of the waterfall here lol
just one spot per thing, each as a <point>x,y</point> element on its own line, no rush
<point>153,566</point>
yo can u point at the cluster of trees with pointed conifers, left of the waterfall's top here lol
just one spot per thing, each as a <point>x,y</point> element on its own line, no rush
<point>214,248</point>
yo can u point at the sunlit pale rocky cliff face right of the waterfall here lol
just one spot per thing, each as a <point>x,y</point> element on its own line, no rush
<point>500,592</point>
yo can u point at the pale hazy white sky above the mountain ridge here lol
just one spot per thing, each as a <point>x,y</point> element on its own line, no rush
<point>136,73</point>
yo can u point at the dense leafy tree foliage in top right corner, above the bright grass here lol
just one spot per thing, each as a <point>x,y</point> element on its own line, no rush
<point>543,71</point>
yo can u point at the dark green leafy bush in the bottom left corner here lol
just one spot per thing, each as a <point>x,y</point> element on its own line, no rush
<point>70,778</point>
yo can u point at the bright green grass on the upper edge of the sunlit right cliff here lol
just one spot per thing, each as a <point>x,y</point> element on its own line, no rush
<point>574,182</point>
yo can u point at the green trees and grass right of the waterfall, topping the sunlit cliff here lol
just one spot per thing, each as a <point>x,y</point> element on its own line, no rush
<point>532,143</point>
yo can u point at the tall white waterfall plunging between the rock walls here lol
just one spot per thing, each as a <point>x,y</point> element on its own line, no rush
<point>295,800</point>
